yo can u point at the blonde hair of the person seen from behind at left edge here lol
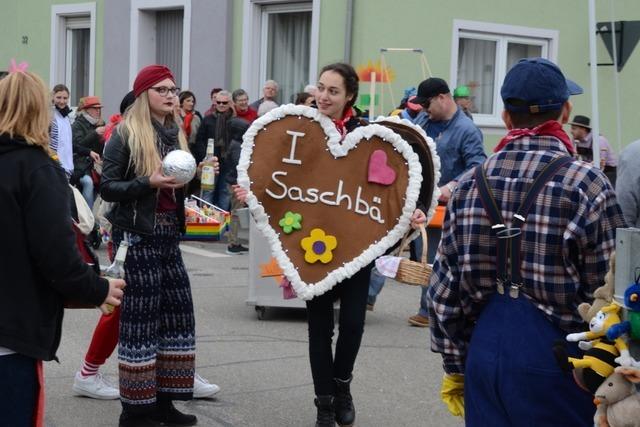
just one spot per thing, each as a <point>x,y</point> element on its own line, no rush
<point>24,108</point>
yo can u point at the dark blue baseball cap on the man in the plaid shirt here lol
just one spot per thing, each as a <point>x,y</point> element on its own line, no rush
<point>536,85</point>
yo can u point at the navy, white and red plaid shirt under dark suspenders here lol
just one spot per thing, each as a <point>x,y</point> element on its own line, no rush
<point>566,242</point>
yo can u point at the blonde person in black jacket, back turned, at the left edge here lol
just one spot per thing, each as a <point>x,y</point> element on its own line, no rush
<point>40,265</point>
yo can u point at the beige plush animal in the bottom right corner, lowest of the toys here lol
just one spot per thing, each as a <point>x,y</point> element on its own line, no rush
<point>618,403</point>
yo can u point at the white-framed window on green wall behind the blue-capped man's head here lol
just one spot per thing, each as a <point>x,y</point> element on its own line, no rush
<point>482,55</point>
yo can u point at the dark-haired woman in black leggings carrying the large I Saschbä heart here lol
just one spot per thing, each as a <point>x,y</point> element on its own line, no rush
<point>332,373</point>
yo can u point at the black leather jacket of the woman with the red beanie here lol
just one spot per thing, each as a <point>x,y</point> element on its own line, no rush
<point>136,201</point>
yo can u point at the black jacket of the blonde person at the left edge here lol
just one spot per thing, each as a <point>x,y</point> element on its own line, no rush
<point>40,265</point>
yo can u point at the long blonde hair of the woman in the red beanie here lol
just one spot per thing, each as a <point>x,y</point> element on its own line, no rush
<point>137,130</point>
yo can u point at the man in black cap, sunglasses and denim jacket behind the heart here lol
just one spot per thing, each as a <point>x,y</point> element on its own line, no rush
<point>459,146</point>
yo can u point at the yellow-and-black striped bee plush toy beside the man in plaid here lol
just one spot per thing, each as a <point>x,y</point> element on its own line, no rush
<point>598,361</point>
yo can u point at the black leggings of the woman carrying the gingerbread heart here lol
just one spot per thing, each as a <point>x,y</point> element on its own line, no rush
<point>353,302</point>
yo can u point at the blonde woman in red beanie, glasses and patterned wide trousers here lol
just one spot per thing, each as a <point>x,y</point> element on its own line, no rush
<point>156,351</point>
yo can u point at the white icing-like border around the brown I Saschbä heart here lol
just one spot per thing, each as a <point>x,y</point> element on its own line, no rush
<point>339,149</point>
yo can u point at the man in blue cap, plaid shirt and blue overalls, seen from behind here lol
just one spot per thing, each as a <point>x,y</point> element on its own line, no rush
<point>527,237</point>
